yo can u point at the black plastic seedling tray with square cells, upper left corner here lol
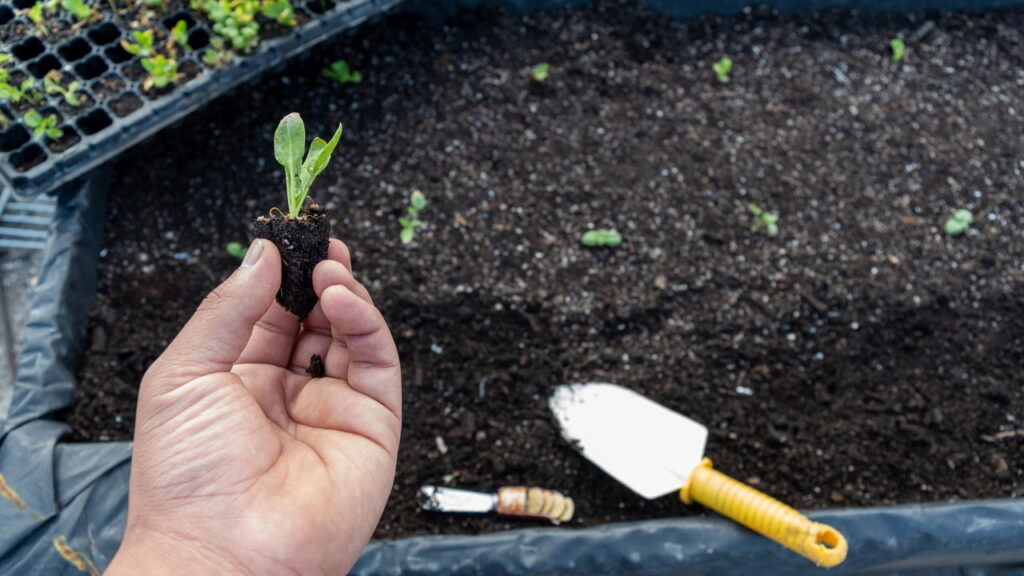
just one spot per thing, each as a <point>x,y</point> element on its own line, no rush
<point>117,113</point>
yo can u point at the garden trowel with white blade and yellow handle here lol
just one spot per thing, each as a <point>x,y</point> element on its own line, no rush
<point>655,451</point>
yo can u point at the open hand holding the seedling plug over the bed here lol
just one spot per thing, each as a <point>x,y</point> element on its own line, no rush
<point>243,463</point>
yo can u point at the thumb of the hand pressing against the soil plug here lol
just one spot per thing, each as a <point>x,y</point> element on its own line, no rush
<point>217,335</point>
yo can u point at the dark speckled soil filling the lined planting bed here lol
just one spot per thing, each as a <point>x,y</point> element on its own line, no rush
<point>860,358</point>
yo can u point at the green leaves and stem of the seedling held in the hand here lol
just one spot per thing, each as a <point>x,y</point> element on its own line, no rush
<point>289,145</point>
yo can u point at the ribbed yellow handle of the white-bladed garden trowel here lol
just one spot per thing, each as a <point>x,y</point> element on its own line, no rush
<point>821,544</point>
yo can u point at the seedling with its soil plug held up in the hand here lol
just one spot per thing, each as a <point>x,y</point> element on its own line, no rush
<point>304,234</point>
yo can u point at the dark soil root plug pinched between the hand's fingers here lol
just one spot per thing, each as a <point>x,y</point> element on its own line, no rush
<point>304,243</point>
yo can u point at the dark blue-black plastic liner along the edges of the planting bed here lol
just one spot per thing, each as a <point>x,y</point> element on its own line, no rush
<point>63,507</point>
